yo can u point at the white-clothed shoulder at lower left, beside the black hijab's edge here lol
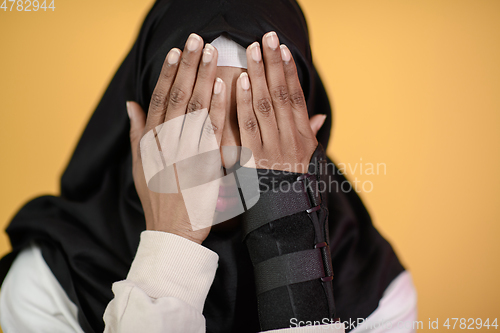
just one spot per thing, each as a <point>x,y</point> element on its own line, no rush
<point>31,297</point>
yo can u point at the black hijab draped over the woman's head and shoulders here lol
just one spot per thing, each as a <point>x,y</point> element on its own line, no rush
<point>90,233</point>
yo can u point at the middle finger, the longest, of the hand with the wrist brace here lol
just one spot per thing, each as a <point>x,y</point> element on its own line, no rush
<point>277,86</point>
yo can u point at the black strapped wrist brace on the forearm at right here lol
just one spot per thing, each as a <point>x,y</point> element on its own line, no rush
<point>286,234</point>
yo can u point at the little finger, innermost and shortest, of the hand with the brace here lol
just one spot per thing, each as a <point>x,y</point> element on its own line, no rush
<point>249,126</point>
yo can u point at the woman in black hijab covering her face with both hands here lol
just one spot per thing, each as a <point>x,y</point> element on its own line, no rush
<point>83,243</point>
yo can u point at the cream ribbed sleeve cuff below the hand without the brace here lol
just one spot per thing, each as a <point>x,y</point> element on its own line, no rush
<point>168,265</point>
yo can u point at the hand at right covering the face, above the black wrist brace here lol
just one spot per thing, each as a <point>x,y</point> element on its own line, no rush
<point>272,111</point>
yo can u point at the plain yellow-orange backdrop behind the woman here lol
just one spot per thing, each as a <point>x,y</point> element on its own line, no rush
<point>415,85</point>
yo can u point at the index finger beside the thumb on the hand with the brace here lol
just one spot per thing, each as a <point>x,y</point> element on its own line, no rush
<point>296,95</point>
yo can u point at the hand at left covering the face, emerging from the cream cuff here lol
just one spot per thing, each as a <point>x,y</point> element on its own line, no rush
<point>186,83</point>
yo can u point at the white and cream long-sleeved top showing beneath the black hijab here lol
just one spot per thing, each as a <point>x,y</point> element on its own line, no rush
<point>165,291</point>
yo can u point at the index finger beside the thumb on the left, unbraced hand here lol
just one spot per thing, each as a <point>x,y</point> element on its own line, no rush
<point>158,105</point>
